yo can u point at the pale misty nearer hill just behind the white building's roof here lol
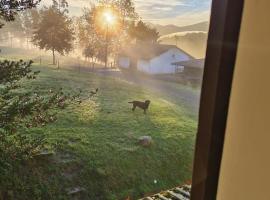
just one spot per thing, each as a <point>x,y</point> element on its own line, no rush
<point>193,42</point>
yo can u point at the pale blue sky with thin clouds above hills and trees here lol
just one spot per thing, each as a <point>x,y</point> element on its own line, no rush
<point>163,12</point>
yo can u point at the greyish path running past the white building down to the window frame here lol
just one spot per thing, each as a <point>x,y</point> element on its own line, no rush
<point>174,92</point>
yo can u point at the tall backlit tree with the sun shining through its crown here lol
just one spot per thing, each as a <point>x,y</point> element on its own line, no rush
<point>117,35</point>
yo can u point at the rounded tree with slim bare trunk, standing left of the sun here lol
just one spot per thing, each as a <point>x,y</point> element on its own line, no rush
<point>54,32</point>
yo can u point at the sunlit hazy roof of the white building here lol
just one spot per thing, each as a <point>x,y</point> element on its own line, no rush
<point>148,51</point>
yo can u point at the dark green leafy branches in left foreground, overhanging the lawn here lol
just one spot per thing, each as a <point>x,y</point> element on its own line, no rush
<point>21,111</point>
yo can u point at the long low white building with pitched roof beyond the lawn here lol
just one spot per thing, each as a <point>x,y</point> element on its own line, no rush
<point>152,58</point>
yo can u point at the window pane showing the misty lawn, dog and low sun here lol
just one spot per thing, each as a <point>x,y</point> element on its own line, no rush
<point>100,99</point>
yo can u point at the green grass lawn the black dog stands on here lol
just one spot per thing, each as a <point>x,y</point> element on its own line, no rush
<point>97,140</point>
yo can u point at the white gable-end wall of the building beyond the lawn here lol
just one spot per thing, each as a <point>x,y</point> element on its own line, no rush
<point>163,63</point>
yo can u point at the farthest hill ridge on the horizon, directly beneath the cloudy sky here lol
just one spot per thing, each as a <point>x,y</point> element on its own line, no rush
<point>168,29</point>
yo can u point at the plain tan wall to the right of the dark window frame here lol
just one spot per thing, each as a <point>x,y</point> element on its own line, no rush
<point>245,169</point>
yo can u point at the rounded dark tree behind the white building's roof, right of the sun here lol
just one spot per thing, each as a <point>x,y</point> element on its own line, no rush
<point>143,32</point>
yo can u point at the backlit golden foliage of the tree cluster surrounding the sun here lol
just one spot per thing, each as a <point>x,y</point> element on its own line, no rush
<point>94,36</point>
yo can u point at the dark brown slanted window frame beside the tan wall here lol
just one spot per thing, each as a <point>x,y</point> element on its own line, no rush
<point>225,24</point>
